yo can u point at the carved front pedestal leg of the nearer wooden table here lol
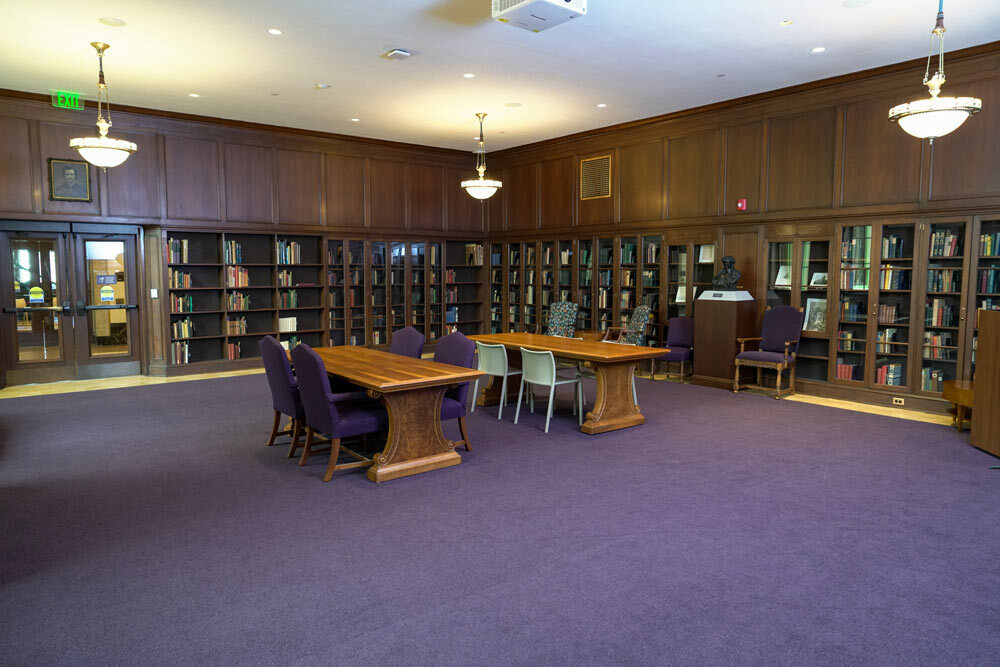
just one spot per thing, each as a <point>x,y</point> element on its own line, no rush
<point>416,441</point>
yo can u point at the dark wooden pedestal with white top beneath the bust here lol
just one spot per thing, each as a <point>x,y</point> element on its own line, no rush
<point>719,319</point>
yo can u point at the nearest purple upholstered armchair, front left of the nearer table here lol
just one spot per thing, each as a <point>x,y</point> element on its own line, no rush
<point>332,414</point>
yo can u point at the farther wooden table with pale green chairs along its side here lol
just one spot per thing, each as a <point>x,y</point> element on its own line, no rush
<point>613,365</point>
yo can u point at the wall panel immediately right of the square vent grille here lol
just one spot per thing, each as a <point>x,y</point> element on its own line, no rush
<point>641,183</point>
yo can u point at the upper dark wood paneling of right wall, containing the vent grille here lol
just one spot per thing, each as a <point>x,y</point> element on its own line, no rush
<point>816,152</point>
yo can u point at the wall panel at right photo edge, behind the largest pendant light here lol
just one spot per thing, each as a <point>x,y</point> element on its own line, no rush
<point>966,163</point>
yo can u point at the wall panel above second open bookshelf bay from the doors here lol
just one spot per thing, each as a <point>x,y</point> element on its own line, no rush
<point>249,190</point>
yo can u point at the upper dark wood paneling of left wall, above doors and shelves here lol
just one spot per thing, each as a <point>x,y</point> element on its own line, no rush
<point>191,174</point>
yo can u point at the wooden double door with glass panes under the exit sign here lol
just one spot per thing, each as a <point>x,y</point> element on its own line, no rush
<point>69,306</point>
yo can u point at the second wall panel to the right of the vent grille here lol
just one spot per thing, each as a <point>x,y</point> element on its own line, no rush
<point>693,175</point>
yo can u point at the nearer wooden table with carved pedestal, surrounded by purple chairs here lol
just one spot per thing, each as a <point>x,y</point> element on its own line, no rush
<point>412,391</point>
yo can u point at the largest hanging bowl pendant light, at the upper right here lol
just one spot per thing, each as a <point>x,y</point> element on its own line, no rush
<point>935,116</point>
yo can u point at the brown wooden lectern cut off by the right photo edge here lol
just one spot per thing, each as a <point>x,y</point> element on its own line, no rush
<point>986,393</point>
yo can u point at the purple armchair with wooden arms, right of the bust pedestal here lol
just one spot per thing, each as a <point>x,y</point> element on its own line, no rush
<point>778,345</point>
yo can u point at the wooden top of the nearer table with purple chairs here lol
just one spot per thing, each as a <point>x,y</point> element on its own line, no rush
<point>387,372</point>
